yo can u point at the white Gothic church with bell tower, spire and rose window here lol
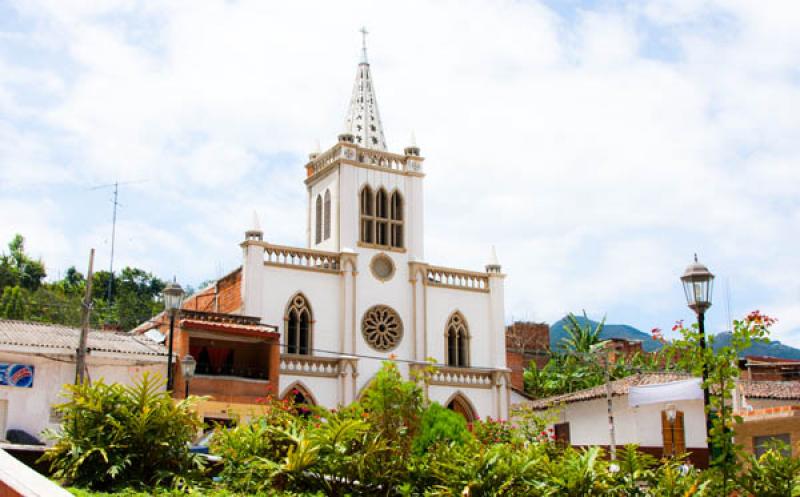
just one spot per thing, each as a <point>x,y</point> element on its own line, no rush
<point>361,291</point>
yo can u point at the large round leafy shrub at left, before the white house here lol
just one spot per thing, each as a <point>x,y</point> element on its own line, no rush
<point>115,435</point>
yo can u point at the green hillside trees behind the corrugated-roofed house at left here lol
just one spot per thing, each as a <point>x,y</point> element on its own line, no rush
<point>24,293</point>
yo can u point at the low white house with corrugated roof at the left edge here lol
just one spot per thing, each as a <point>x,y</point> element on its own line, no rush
<point>36,360</point>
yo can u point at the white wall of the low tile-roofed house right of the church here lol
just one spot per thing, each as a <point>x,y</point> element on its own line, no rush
<point>588,422</point>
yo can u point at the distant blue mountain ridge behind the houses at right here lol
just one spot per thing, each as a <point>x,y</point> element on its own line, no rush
<point>771,349</point>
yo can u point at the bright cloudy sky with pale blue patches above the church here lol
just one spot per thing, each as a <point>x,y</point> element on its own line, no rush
<point>597,144</point>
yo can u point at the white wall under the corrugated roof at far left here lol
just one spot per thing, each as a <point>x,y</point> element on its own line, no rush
<point>29,409</point>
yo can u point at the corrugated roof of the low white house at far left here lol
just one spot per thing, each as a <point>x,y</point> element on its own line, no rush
<point>58,339</point>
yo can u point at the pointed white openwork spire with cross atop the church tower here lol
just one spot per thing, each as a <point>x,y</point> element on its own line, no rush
<point>363,119</point>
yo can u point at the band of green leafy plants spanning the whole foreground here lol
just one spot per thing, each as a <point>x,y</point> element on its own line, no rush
<point>358,450</point>
